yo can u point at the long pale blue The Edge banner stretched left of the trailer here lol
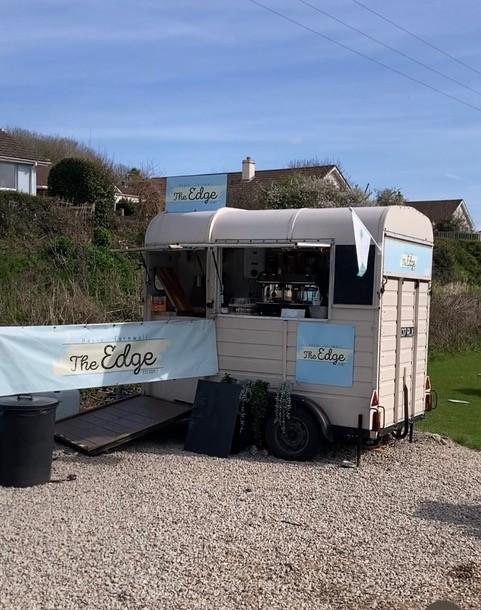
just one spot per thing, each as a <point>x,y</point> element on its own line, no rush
<point>49,358</point>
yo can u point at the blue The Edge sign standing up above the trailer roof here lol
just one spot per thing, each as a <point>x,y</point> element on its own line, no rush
<point>196,193</point>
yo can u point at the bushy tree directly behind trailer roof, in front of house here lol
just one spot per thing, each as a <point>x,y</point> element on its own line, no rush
<point>303,191</point>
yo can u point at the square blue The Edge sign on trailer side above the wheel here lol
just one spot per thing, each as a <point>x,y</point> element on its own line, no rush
<point>325,353</point>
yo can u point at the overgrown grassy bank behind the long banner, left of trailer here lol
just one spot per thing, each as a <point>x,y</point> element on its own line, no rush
<point>51,272</point>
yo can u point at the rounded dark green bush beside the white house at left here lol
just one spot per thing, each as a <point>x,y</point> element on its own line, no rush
<point>80,181</point>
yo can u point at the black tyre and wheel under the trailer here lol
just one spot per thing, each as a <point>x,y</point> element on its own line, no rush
<point>302,439</point>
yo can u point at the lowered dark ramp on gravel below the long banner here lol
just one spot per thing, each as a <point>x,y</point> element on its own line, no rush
<point>117,423</point>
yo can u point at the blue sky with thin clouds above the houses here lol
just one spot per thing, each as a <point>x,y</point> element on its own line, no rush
<point>184,86</point>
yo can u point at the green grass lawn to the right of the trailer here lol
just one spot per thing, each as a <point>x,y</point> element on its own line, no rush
<point>456,376</point>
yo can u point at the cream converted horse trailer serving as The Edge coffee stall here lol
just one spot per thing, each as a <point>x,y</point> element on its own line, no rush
<point>290,305</point>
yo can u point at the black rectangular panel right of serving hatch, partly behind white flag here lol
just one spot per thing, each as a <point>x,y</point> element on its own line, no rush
<point>349,289</point>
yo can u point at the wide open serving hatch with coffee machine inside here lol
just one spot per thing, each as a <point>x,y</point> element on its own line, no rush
<point>276,281</point>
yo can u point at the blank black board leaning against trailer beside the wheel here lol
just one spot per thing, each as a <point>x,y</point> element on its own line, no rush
<point>213,419</point>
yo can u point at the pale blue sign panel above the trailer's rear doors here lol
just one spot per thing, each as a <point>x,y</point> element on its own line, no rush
<point>406,259</point>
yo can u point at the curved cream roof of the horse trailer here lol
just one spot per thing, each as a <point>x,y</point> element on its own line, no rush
<point>230,226</point>
